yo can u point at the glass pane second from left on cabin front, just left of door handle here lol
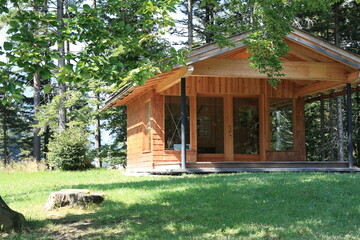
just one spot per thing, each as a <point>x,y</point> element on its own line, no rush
<point>210,124</point>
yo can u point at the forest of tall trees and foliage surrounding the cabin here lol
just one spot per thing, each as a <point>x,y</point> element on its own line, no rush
<point>74,54</point>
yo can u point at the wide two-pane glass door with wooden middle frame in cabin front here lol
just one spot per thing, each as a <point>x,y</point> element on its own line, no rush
<point>227,127</point>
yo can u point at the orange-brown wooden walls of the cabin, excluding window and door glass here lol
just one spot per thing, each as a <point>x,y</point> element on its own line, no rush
<point>216,86</point>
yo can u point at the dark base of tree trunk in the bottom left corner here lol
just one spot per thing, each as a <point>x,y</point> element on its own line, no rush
<point>10,219</point>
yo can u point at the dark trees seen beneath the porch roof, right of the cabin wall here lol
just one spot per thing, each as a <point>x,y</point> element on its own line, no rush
<point>322,140</point>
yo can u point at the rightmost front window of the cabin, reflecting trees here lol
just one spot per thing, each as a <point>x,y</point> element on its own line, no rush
<point>281,124</point>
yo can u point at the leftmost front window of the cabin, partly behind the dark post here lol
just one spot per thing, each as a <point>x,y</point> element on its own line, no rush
<point>173,123</point>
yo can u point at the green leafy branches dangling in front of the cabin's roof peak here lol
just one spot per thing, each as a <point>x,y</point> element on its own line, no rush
<point>266,21</point>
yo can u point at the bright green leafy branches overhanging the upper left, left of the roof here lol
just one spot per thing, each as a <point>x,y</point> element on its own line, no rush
<point>122,40</point>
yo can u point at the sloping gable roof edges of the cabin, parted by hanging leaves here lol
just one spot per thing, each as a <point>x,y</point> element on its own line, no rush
<point>324,49</point>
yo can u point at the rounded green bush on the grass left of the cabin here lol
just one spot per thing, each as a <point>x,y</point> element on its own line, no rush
<point>69,149</point>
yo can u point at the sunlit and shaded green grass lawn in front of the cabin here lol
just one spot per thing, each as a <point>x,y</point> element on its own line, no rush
<point>216,206</point>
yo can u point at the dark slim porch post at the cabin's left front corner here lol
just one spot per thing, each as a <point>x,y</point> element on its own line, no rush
<point>183,123</point>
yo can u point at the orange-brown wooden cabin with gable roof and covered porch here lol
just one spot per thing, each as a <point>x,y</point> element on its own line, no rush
<point>233,116</point>
